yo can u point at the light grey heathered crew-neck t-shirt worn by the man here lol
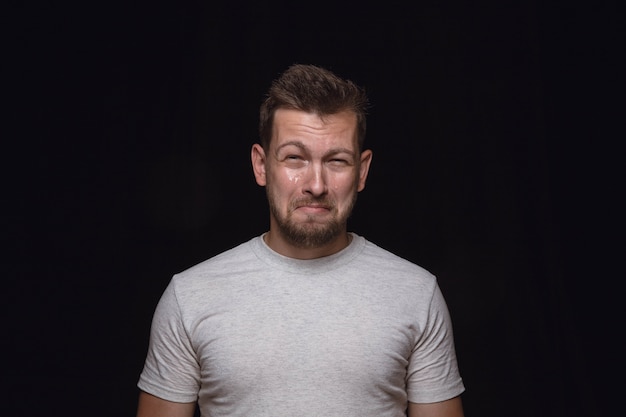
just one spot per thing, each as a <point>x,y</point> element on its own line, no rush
<point>250,332</point>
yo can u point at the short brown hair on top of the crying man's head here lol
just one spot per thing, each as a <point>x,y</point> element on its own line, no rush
<point>312,89</point>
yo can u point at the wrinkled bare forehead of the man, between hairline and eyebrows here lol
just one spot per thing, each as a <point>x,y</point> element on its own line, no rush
<point>315,130</point>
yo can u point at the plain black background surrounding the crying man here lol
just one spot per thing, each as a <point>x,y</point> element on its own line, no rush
<point>497,130</point>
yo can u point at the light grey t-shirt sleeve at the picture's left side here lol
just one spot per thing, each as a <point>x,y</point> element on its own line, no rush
<point>171,370</point>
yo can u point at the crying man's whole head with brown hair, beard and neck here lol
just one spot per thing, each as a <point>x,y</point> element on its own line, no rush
<point>311,160</point>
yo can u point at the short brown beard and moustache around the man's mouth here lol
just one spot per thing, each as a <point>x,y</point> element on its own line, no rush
<point>310,233</point>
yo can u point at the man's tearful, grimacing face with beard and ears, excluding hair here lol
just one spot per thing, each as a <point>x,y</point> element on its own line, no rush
<point>312,174</point>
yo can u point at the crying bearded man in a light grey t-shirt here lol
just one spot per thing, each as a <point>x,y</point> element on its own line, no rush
<point>307,319</point>
